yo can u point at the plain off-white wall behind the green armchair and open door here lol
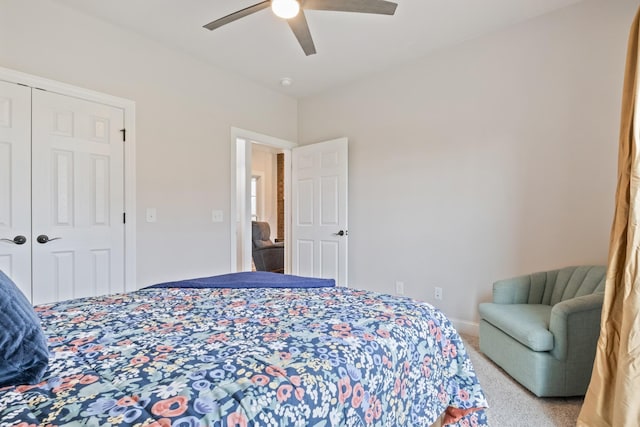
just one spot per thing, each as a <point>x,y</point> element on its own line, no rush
<point>488,159</point>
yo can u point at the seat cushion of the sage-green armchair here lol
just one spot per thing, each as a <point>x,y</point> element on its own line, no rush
<point>527,323</point>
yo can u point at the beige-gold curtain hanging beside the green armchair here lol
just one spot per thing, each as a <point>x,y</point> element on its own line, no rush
<point>613,397</point>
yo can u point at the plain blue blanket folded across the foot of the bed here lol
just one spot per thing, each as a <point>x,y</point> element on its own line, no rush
<point>250,279</point>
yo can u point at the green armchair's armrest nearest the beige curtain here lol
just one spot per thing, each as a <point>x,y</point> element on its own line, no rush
<point>575,325</point>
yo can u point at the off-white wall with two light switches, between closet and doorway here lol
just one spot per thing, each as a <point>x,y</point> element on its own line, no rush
<point>185,110</point>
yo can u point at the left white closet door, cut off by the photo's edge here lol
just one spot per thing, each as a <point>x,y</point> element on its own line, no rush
<point>15,184</point>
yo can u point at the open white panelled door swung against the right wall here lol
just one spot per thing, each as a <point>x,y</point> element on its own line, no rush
<point>319,210</point>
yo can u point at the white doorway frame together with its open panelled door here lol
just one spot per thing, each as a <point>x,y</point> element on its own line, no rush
<point>316,240</point>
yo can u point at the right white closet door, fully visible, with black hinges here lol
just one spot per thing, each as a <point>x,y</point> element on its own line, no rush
<point>78,198</point>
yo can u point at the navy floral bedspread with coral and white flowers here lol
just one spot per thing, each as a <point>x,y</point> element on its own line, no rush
<point>247,357</point>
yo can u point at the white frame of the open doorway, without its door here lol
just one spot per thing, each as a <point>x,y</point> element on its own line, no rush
<point>239,214</point>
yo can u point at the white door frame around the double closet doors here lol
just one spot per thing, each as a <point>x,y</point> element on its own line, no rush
<point>129,109</point>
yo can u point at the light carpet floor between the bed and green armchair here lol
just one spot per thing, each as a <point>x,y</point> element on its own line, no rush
<point>512,405</point>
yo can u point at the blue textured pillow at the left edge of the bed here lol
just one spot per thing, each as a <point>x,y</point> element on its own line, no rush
<point>23,347</point>
